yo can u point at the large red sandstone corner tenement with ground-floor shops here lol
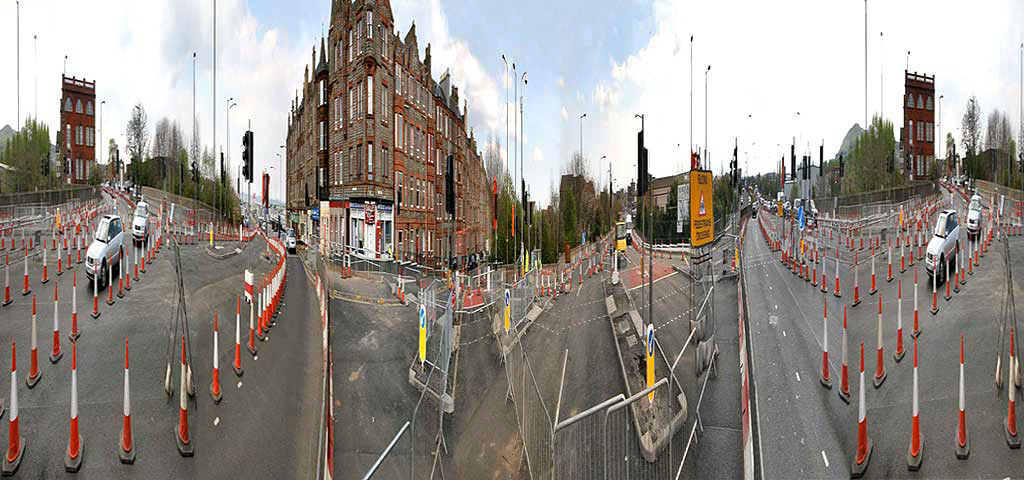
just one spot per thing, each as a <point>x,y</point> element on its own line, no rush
<point>372,129</point>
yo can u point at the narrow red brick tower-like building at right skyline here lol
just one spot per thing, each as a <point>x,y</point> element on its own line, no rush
<point>919,124</point>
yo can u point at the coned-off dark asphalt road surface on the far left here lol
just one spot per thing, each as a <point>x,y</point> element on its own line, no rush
<point>265,428</point>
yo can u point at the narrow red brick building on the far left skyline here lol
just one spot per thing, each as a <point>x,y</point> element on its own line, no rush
<point>78,132</point>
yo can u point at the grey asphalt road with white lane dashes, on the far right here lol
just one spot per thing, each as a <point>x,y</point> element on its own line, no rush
<point>809,432</point>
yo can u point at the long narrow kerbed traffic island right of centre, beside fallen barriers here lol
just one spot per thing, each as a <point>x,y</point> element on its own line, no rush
<point>657,421</point>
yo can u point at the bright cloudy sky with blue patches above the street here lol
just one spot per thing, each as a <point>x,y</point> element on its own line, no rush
<point>608,59</point>
